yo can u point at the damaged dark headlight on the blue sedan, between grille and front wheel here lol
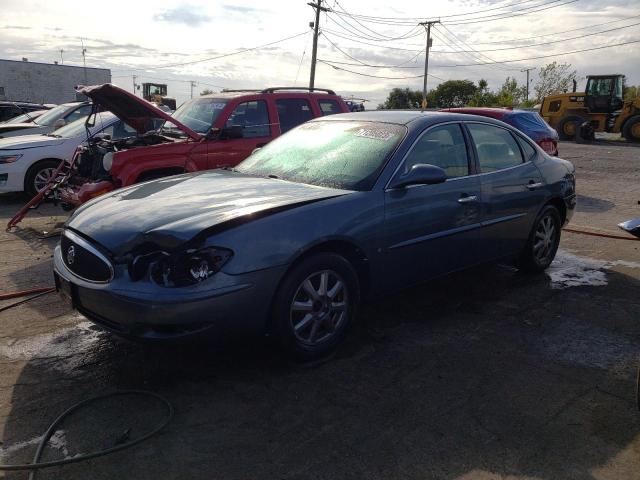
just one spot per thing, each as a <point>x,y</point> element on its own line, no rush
<point>179,269</point>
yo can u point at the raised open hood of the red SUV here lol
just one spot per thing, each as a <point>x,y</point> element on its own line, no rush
<point>133,110</point>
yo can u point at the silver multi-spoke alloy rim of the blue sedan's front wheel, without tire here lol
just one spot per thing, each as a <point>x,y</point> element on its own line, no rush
<point>319,308</point>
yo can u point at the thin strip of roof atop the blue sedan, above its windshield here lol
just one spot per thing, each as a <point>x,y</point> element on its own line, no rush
<point>402,117</point>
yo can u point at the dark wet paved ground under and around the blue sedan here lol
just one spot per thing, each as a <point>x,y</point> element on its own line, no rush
<point>484,375</point>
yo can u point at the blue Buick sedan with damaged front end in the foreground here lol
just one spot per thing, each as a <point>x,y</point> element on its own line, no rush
<point>289,242</point>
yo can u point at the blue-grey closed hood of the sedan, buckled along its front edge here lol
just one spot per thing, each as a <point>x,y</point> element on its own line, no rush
<point>170,211</point>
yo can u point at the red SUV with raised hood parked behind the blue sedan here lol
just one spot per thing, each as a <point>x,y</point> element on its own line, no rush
<point>211,131</point>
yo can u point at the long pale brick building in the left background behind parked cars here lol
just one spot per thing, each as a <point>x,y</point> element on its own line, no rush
<point>46,82</point>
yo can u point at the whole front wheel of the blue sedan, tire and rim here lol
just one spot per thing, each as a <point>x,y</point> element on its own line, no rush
<point>308,323</point>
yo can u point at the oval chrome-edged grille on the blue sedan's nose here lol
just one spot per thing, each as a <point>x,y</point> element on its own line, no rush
<point>84,260</point>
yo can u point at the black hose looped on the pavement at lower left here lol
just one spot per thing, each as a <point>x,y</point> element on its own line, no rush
<point>37,465</point>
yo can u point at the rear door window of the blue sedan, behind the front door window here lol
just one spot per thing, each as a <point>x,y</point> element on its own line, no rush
<point>496,147</point>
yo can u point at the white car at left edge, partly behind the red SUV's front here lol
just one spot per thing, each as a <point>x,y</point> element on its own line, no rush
<point>27,162</point>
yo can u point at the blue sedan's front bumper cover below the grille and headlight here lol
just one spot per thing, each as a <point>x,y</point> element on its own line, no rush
<point>233,305</point>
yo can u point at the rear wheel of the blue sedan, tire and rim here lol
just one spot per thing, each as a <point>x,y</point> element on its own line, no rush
<point>543,241</point>
